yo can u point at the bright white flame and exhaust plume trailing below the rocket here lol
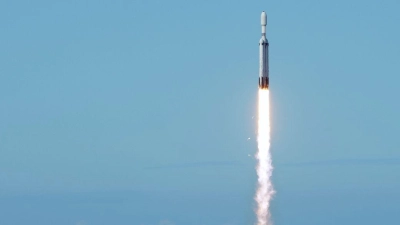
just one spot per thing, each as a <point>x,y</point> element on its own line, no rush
<point>265,190</point>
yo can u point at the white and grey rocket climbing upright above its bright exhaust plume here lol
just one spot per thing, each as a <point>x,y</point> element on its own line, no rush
<point>263,79</point>
